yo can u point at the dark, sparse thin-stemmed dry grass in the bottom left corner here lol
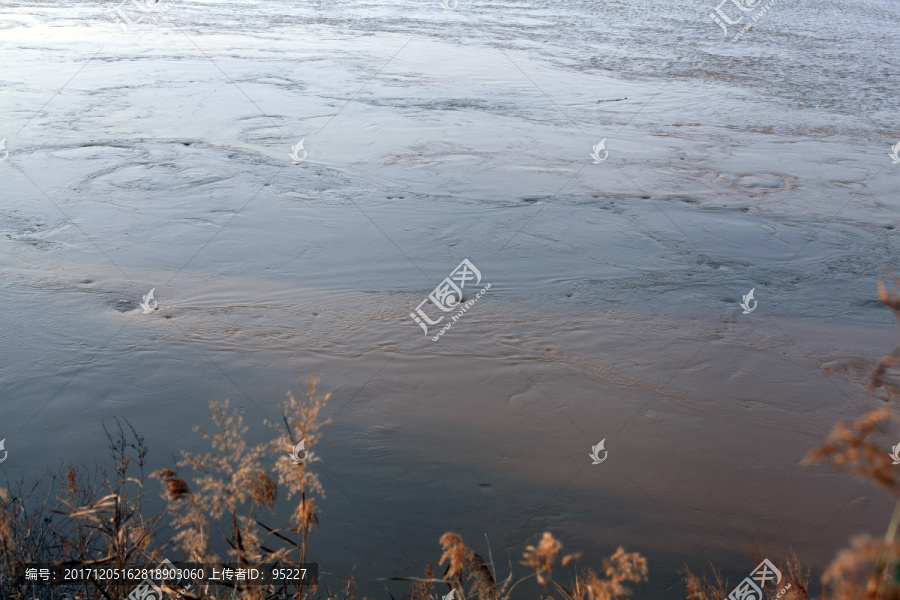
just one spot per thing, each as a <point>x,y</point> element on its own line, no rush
<point>98,520</point>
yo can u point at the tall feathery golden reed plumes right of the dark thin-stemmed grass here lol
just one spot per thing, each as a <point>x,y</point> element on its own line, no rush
<point>234,484</point>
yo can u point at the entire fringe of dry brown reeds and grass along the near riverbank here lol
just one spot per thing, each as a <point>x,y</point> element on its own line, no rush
<point>227,493</point>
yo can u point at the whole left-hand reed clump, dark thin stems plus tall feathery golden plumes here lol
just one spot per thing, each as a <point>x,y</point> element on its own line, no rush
<point>99,519</point>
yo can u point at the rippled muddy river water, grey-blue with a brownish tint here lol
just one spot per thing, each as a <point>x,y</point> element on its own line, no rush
<point>431,136</point>
